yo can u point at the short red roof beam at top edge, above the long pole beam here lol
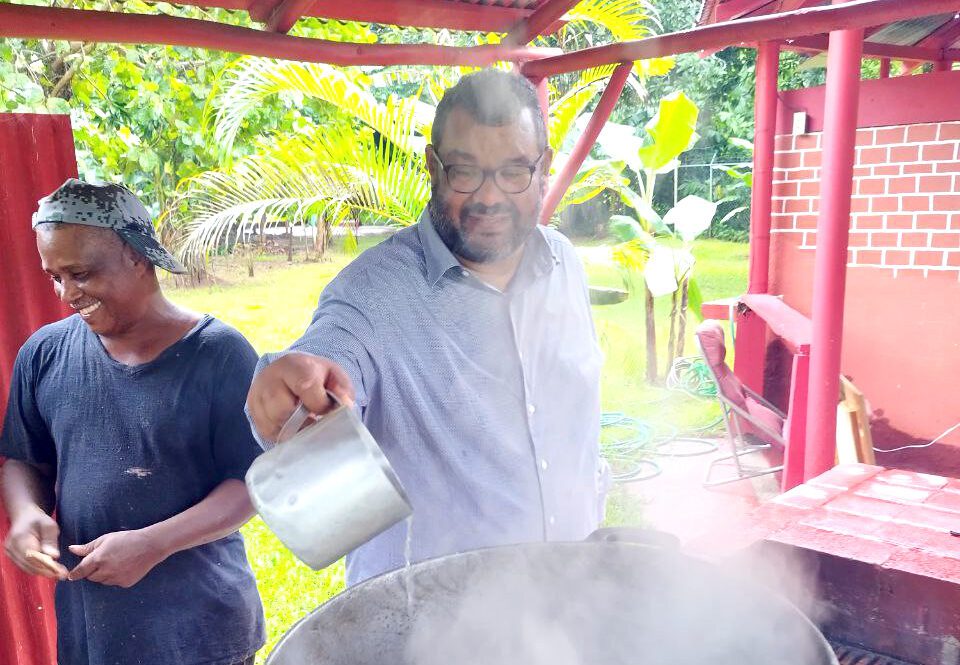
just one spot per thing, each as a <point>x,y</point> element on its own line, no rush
<point>413,13</point>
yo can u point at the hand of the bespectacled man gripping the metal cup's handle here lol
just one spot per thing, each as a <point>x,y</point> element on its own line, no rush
<point>296,377</point>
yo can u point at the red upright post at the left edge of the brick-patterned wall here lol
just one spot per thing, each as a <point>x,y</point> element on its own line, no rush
<point>761,200</point>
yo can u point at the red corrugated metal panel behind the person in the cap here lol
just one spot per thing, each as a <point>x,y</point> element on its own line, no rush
<point>36,156</point>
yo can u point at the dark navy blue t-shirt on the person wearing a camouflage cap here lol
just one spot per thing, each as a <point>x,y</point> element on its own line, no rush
<point>133,446</point>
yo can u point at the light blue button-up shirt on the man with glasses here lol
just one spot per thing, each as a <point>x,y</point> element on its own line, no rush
<point>486,403</point>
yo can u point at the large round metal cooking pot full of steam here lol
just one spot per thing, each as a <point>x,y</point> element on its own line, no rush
<point>590,603</point>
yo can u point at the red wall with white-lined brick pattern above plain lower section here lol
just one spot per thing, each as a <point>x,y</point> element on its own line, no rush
<point>902,318</point>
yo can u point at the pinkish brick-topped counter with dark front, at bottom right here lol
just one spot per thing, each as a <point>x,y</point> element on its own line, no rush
<point>887,567</point>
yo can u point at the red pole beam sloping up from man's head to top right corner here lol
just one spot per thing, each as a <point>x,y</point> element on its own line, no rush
<point>790,25</point>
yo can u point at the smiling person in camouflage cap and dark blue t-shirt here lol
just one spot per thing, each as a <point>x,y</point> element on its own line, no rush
<point>128,417</point>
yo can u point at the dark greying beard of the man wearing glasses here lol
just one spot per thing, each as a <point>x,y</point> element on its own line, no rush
<point>457,242</point>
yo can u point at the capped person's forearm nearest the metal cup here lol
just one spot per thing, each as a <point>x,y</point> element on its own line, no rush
<point>222,512</point>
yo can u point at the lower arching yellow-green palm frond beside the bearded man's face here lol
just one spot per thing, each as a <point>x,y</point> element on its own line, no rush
<point>330,175</point>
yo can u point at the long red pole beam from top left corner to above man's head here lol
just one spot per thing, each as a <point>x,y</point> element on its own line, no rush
<point>31,22</point>
